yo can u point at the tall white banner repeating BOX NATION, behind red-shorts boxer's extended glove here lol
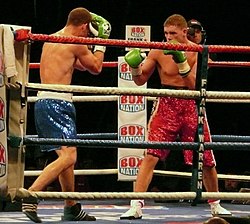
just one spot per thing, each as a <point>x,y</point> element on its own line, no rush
<point>132,124</point>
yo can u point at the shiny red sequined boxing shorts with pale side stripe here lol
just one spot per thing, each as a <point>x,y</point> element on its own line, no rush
<point>172,118</point>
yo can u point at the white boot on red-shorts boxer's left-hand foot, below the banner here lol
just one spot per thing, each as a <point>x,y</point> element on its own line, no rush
<point>135,211</point>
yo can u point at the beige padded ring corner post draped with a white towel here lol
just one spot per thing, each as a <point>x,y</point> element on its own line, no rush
<point>16,76</point>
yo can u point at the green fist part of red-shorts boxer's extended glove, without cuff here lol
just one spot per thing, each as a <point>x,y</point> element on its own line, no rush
<point>134,57</point>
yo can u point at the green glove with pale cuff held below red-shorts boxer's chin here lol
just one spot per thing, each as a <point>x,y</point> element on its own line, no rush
<point>180,59</point>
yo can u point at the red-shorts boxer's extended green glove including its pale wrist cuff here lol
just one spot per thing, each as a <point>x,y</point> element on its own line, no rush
<point>134,58</point>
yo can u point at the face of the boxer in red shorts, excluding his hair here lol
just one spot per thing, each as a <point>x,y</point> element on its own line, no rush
<point>175,33</point>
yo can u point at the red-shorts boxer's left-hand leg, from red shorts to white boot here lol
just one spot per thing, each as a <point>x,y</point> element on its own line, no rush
<point>162,127</point>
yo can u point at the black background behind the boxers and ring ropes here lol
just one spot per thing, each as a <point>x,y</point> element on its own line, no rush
<point>226,23</point>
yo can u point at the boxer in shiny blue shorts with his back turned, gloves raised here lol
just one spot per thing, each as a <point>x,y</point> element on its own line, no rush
<point>55,114</point>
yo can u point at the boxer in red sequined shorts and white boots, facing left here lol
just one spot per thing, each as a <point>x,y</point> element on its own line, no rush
<point>171,116</point>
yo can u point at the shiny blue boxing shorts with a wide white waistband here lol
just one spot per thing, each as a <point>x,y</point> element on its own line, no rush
<point>55,117</point>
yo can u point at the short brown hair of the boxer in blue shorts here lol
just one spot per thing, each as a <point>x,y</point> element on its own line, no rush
<point>79,16</point>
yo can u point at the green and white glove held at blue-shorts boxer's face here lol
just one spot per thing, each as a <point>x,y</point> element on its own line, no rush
<point>99,27</point>
